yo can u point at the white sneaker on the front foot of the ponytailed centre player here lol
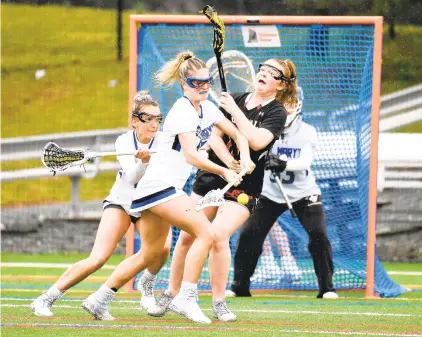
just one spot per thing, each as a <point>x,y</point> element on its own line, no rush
<point>185,304</point>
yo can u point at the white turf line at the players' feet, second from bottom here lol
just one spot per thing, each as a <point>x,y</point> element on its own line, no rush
<point>295,312</point>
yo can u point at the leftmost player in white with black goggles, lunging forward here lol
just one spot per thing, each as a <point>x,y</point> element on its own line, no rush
<point>115,220</point>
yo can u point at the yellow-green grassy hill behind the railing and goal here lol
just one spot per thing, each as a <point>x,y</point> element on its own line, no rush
<point>77,48</point>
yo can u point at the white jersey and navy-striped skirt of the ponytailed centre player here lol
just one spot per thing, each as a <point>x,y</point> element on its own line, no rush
<point>168,170</point>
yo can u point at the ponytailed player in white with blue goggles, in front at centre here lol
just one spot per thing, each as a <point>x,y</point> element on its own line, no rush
<point>159,195</point>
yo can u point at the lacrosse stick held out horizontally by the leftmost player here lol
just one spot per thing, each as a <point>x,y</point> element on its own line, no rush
<point>57,159</point>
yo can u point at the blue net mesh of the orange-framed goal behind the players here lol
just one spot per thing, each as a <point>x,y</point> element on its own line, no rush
<point>334,65</point>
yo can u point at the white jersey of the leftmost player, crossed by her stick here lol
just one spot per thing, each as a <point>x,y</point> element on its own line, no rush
<point>132,169</point>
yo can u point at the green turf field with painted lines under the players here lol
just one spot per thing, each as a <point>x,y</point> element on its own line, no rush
<point>273,314</point>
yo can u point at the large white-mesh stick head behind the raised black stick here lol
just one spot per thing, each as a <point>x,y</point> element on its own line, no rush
<point>238,71</point>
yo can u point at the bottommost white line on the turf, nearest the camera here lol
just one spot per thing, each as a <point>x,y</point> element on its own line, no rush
<point>209,328</point>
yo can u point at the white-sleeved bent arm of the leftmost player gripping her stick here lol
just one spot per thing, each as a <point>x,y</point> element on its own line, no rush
<point>133,167</point>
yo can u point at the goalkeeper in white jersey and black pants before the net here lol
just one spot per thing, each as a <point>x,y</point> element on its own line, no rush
<point>291,160</point>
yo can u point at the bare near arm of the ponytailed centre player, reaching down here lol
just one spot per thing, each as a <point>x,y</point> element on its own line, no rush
<point>193,157</point>
